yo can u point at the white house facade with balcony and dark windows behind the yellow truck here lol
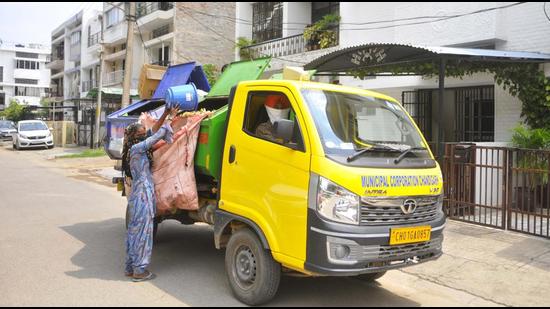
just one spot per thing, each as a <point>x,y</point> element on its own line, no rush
<point>488,25</point>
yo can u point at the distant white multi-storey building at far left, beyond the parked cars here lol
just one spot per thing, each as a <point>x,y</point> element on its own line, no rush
<point>23,73</point>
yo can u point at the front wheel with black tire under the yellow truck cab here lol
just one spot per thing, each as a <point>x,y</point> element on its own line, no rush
<point>253,274</point>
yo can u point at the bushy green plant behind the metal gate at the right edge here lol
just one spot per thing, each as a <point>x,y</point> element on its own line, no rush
<point>535,189</point>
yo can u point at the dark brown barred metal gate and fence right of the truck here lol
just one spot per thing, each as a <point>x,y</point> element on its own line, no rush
<point>501,187</point>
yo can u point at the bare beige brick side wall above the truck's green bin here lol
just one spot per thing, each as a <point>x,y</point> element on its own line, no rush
<point>197,42</point>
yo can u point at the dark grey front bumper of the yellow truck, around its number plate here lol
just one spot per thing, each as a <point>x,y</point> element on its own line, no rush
<point>365,249</point>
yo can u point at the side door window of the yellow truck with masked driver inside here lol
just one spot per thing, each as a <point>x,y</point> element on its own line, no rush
<point>258,120</point>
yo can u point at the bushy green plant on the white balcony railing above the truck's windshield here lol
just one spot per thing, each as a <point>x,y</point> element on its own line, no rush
<point>322,34</point>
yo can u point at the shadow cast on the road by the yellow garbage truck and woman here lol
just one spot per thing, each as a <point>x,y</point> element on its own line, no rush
<point>189,268</point>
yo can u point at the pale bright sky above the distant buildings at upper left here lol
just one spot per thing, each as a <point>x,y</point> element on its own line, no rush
<point>33,22</point>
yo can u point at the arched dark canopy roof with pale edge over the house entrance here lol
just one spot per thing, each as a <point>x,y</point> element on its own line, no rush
<point>377,55</point>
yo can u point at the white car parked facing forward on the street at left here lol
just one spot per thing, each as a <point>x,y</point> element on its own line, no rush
<point>32,133</point>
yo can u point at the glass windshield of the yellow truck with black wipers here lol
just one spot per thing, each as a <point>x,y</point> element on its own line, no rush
<point>349,122</point>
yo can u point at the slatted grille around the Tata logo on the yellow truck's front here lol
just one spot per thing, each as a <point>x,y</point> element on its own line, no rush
<point>387,211</point>
